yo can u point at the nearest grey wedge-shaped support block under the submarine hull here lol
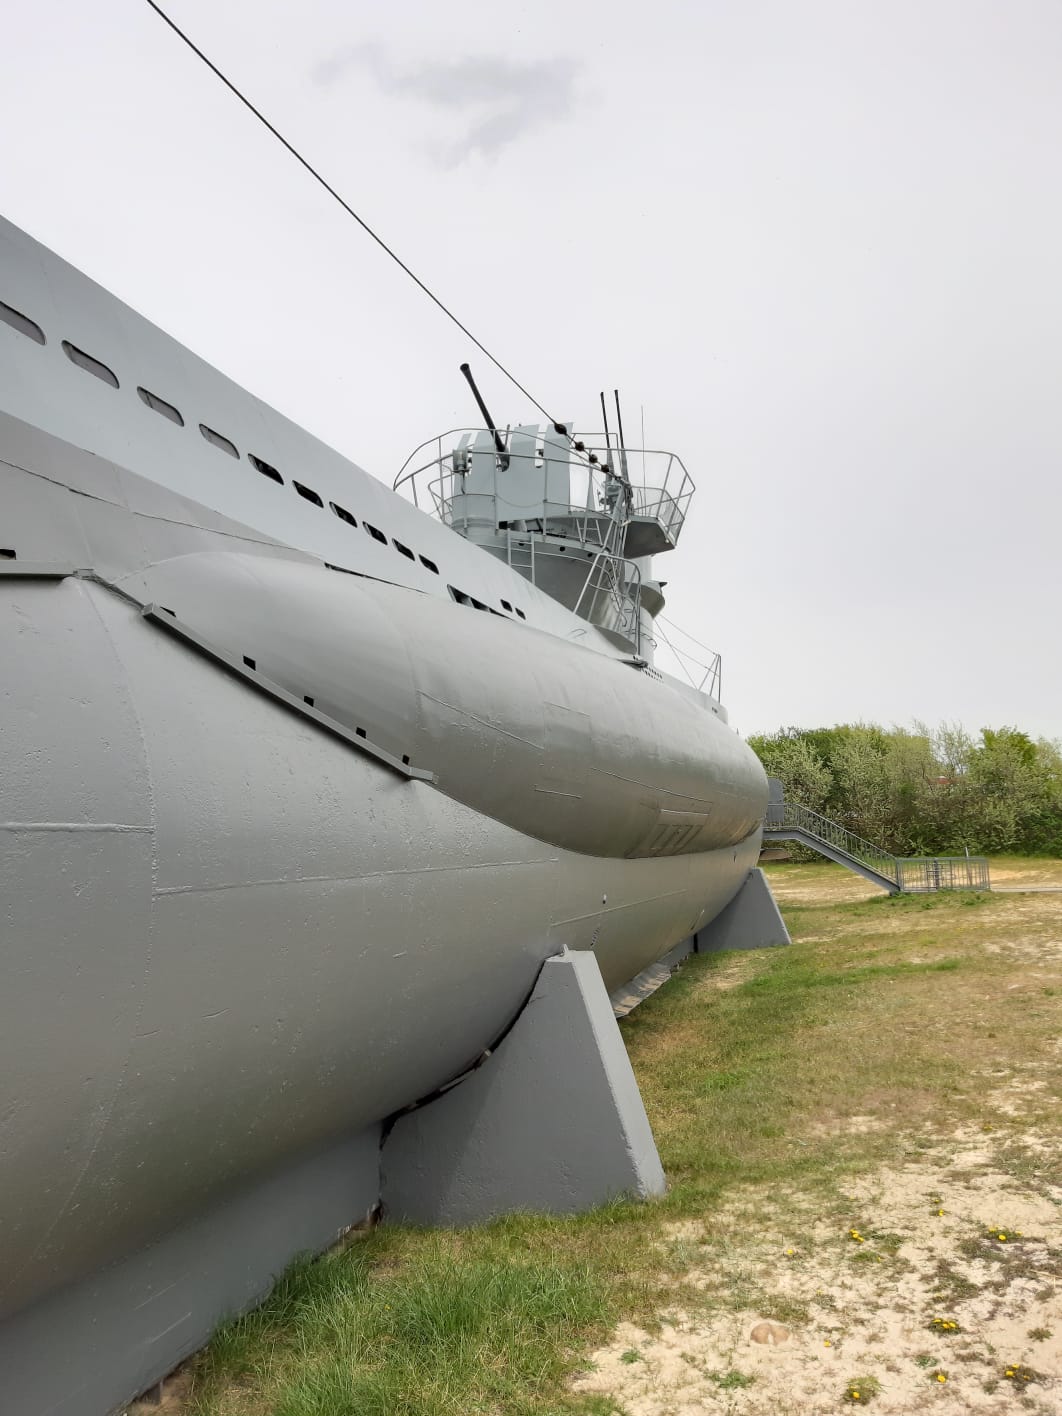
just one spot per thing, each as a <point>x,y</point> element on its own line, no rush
<point>553,1122</point>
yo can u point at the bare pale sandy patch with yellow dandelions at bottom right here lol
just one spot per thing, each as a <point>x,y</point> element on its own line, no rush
<point>928,1251</point>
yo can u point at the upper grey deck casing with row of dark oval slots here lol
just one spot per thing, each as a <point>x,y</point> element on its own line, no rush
<point>40,386</point>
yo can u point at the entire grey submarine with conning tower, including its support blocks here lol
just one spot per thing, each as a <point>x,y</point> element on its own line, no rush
<point>336,819</point>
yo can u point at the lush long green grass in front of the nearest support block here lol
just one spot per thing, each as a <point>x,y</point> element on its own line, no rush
<point>407,1325</point>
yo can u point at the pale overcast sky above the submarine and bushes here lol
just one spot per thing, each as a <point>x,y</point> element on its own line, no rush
<point>821,241</point>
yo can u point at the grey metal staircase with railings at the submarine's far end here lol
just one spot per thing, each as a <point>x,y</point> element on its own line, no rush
<point>908,874</point>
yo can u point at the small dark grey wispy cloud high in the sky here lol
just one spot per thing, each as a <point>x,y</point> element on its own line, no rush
<point>502,100</point>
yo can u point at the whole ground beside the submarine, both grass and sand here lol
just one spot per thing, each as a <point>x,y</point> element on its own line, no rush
<point>862,1138</point>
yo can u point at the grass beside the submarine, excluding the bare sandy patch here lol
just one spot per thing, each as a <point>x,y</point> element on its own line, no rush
<point>788,1071</point>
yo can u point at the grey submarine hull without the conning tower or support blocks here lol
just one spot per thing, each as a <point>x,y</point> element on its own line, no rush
<point>285,847</point>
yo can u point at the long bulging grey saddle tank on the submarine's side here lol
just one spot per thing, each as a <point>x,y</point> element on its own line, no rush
<point>509,721</point>
